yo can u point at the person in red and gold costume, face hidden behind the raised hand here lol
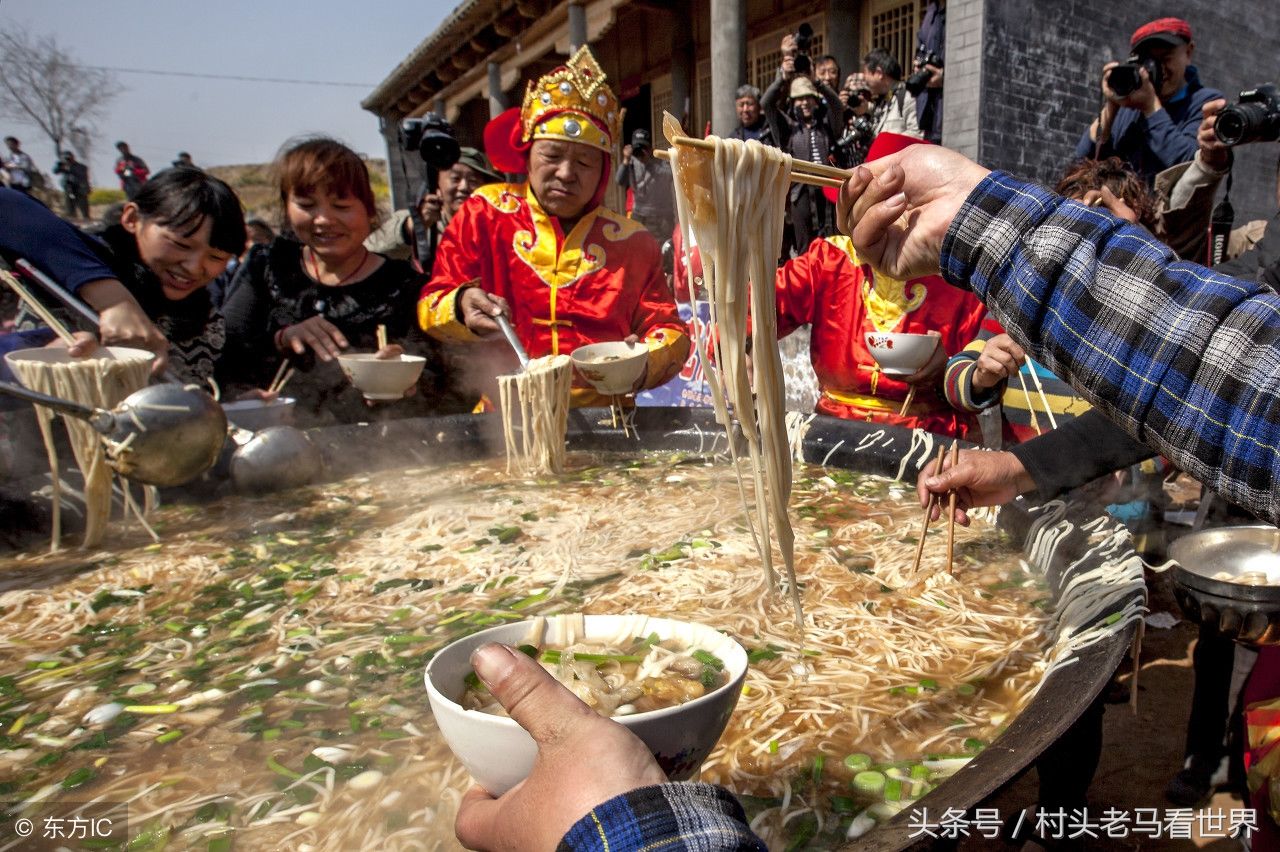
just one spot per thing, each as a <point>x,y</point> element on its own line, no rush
<point>844,299</point>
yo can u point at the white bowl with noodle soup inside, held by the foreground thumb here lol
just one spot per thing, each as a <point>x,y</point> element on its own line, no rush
<point>673,684</point>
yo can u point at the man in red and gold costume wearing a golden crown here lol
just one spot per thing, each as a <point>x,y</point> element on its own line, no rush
<point>565,269</point>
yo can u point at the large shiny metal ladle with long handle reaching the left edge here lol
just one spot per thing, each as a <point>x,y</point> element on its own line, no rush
<point>171,434</point>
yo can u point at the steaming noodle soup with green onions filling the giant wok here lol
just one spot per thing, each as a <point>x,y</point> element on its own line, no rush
<point>258,674</point>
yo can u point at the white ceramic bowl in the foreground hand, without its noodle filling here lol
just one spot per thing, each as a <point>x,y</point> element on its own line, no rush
<point>500,754</point>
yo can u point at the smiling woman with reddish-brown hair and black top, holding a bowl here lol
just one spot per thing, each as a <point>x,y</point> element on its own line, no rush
<point>317,291</point>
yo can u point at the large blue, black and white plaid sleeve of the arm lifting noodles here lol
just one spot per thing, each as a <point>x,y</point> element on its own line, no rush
<point>1183,359</point>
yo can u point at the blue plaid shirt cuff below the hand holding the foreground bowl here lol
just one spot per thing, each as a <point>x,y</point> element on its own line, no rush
<point>701,818</point>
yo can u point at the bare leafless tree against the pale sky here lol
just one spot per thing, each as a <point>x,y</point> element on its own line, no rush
<point>43,85</point>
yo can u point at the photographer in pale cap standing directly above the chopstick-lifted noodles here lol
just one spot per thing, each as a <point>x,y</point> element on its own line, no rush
<point>807,131</point>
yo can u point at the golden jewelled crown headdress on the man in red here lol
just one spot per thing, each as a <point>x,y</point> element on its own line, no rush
<point>573,103</point>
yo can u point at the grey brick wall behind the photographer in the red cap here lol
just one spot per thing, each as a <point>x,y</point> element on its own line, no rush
<point>1041,59</point>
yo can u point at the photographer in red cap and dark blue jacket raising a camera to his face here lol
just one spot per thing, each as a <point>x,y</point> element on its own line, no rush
<point>1151,126</point>
